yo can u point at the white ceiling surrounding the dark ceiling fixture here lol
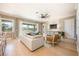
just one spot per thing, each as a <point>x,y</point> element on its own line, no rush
<point>28,11</point>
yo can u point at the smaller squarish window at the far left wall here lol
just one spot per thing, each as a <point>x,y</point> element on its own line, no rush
<point>6,26</point>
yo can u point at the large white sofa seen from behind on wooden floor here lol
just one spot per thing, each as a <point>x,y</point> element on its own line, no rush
<point>32,42</point>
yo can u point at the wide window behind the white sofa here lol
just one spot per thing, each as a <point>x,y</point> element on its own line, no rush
<point>29,27</point>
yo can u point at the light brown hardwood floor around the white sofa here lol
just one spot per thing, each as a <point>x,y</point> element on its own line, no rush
<point>64,48</point>
